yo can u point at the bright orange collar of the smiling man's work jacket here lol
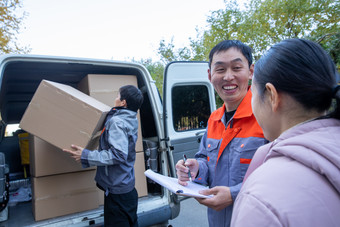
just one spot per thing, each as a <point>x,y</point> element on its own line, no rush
<point>243,110</point>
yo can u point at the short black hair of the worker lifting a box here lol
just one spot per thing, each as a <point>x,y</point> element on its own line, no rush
<point>133,97</point>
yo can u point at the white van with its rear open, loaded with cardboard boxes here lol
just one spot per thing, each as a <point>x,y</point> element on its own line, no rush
<point>170,127</point>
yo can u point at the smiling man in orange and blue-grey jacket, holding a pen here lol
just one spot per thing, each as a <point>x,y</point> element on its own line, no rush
<point>232,135</point>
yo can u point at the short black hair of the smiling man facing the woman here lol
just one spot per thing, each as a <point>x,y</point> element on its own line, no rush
<point>227,44</point>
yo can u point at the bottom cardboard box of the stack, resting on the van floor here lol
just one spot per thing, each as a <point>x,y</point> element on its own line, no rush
<point>64,194</point>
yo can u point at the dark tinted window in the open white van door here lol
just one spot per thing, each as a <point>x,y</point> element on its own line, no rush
<point>190,107</point>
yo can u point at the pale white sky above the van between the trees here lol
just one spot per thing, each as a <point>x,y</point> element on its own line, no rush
<point>111,29</point>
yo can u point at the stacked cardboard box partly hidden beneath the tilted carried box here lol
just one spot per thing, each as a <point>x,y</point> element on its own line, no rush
<point>46,159</point>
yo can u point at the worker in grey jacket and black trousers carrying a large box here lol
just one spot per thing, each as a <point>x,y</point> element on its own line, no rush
<point>115,159</point>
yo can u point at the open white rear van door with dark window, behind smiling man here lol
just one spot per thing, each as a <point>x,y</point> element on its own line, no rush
<point>188,101</point>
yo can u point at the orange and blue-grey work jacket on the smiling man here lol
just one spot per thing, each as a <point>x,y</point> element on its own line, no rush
<point>225,153</point>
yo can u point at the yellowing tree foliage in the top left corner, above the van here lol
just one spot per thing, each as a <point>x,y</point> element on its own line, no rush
<point>9,27</point>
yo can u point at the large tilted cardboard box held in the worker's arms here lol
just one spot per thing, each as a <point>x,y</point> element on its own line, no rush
<point>63,115</point>
